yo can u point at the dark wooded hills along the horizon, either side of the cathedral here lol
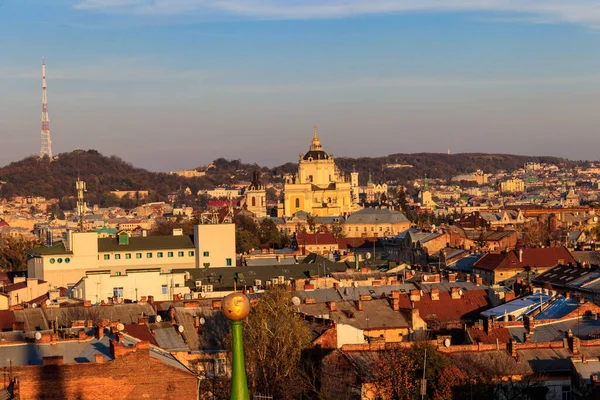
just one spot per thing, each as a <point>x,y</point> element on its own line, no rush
<point>33,176</point>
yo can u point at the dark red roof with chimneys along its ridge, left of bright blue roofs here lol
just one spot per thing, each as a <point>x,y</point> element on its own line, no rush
<point>447,309</point>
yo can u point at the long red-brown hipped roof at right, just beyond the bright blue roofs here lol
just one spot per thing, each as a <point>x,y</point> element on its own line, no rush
<point>545,257</point>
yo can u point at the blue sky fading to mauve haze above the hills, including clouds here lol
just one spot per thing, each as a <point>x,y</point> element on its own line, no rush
<point>175,84</point>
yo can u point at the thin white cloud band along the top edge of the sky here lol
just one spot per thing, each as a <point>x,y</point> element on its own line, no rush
<point>586,12</point>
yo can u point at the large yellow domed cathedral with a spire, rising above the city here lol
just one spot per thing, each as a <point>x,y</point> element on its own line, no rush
<point>318,187</point>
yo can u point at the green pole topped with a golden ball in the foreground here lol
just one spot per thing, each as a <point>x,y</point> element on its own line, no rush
<point>236,308</point>
